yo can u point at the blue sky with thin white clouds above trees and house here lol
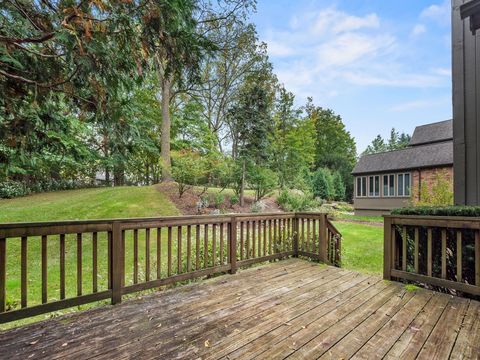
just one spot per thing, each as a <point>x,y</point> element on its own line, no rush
<point>378,63</point>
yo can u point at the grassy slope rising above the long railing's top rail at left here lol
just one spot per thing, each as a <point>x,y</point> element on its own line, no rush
<point>99,203</point>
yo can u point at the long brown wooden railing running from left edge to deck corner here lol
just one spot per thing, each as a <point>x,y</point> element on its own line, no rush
<point>78,262</point>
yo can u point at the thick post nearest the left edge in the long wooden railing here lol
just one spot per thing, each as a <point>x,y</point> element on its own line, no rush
<point>117,263</point>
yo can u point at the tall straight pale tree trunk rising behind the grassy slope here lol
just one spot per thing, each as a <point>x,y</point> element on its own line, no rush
<point>166,128</point>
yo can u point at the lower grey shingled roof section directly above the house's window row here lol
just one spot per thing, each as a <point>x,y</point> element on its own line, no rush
<point>422,156</point>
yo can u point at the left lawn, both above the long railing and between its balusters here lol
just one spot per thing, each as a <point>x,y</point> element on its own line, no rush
<point>100,203</point>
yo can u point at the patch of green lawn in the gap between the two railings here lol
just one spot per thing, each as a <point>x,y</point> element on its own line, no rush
<point>362,247</point>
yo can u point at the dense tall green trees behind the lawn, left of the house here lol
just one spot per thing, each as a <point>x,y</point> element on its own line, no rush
<point>144,91</point>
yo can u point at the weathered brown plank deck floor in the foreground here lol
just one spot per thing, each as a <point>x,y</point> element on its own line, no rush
<point>291,308</point>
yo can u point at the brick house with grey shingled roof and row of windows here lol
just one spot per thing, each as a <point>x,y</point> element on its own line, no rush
<point>389,180</point>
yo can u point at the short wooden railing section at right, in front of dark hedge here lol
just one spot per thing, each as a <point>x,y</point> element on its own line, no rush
<point>434,250</point>
